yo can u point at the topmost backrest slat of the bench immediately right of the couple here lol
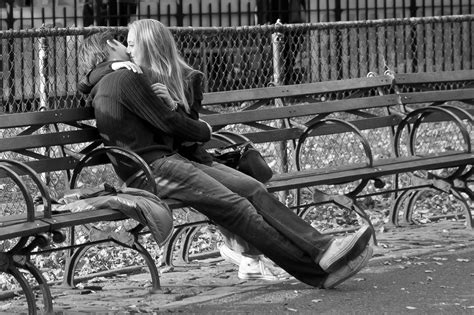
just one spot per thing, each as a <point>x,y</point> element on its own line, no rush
<point>283,91</point>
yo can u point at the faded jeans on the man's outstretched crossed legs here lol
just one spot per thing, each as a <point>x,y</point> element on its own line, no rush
<point>243,206</point>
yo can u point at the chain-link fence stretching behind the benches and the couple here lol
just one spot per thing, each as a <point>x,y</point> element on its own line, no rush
<point>40,67</point>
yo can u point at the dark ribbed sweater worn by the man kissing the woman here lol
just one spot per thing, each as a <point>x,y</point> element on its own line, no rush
<point>130,115</point>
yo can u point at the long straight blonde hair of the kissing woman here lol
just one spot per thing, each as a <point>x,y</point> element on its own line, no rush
<point>162,62</point>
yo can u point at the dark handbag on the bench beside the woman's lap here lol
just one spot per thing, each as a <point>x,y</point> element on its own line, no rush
<point>242,156</point>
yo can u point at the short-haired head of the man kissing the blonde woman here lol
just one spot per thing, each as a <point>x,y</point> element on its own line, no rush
<point>101,47</point>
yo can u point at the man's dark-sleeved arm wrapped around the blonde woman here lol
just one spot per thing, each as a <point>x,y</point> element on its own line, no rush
<point>139,98</point>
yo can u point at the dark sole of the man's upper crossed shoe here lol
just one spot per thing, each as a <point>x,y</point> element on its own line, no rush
<point>353,249</point>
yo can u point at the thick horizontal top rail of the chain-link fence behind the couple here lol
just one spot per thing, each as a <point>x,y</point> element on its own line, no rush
<point>260,29</point>
